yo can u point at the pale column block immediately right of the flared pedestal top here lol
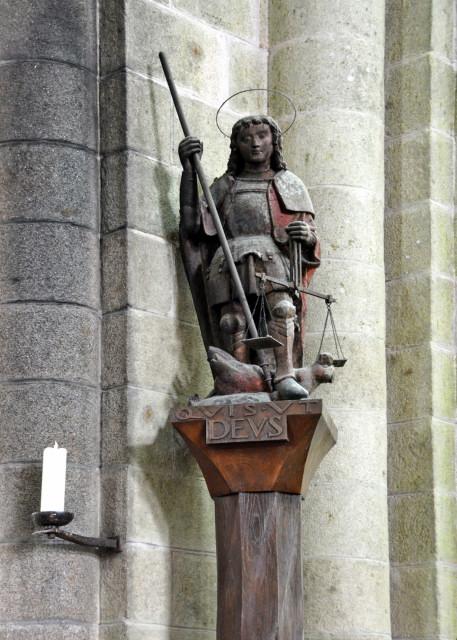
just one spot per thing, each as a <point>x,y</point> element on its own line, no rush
<point>360,453</point>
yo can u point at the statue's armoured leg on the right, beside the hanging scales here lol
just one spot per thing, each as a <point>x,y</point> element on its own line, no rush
<point>283,314</point>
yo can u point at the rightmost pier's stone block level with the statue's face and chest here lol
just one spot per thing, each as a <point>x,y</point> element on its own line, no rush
<point>415,169</point>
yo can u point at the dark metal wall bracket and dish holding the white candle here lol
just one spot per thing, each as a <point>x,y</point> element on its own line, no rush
<point>53,520</point>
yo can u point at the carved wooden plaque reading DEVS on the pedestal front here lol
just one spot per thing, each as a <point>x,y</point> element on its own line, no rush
<point>256,422</point>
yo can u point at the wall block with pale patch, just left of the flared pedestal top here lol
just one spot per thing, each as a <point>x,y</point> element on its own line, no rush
<point>136,430</point>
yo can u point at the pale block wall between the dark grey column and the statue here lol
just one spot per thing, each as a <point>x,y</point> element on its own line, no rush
<point>164,583</point>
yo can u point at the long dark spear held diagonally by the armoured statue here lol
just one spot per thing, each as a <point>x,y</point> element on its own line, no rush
<point>215,216</point>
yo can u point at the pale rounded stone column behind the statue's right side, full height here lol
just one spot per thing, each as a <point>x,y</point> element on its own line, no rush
<point>333,66</point>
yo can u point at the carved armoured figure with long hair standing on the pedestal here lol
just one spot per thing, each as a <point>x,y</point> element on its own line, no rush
<point>268,220</point>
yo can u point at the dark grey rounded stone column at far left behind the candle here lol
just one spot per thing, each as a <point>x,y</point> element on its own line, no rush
<point>50,310</point>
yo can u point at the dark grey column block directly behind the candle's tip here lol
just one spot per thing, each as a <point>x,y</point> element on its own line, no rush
<point>34,412</point>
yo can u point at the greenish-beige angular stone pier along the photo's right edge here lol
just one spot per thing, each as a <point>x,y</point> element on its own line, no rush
<point>420,174</point>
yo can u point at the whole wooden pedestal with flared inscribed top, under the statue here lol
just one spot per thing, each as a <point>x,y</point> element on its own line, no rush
<point>258,460</point>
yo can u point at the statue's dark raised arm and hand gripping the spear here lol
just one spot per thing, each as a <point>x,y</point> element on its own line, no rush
<point>189,205</point>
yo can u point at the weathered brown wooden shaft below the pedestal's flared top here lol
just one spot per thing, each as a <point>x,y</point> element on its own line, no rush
<point>259,573</point>
